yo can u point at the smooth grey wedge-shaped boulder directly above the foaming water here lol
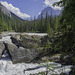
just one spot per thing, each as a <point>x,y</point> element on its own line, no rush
<point>21,54</point>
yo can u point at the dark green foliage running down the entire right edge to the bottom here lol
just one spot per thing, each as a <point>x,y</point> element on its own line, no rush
<point>66,42</point>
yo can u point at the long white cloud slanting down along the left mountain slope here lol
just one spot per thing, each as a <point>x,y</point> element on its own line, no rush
<point>15,10</point>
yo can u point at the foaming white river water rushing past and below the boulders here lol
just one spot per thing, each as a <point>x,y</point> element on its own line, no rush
<point>8,68</point>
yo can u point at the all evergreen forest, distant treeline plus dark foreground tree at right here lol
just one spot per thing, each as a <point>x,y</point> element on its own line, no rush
<point>63,26</point>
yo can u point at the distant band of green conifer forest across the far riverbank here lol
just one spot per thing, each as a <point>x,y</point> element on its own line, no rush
<point>43,25</point>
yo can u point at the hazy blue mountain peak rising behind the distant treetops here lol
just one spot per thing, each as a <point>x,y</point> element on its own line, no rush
<point>49,10</point>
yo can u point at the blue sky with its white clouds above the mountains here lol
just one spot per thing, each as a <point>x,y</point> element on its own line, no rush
<point>27,8</point>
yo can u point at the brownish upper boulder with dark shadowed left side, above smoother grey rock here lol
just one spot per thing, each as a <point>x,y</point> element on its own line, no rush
<point>27,41</point>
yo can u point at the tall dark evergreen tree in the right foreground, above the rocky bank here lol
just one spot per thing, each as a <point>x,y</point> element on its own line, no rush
<point>67,22</point>
